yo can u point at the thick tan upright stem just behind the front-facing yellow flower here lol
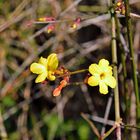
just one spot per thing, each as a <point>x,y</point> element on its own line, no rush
<point>114,61</point>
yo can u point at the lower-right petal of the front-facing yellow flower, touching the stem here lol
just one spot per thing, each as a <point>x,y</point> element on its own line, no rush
<point>110,81</point>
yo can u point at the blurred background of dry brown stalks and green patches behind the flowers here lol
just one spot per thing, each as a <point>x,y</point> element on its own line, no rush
<point>28,111</point>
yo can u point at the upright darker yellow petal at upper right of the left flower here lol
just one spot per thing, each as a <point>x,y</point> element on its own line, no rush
<point>52,62</point>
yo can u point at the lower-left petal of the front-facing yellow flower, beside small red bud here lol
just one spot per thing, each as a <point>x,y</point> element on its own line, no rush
<point>94,80</point>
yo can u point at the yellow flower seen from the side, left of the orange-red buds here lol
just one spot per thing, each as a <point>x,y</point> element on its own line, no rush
<point>45,68</point>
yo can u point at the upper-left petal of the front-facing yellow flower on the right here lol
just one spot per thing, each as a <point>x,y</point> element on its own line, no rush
<point>94,69</point>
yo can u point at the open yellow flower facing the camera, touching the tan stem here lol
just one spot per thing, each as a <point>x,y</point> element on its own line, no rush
<point>102,76</point>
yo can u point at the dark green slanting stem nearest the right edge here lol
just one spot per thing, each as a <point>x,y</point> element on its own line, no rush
<point>130,43</point>
